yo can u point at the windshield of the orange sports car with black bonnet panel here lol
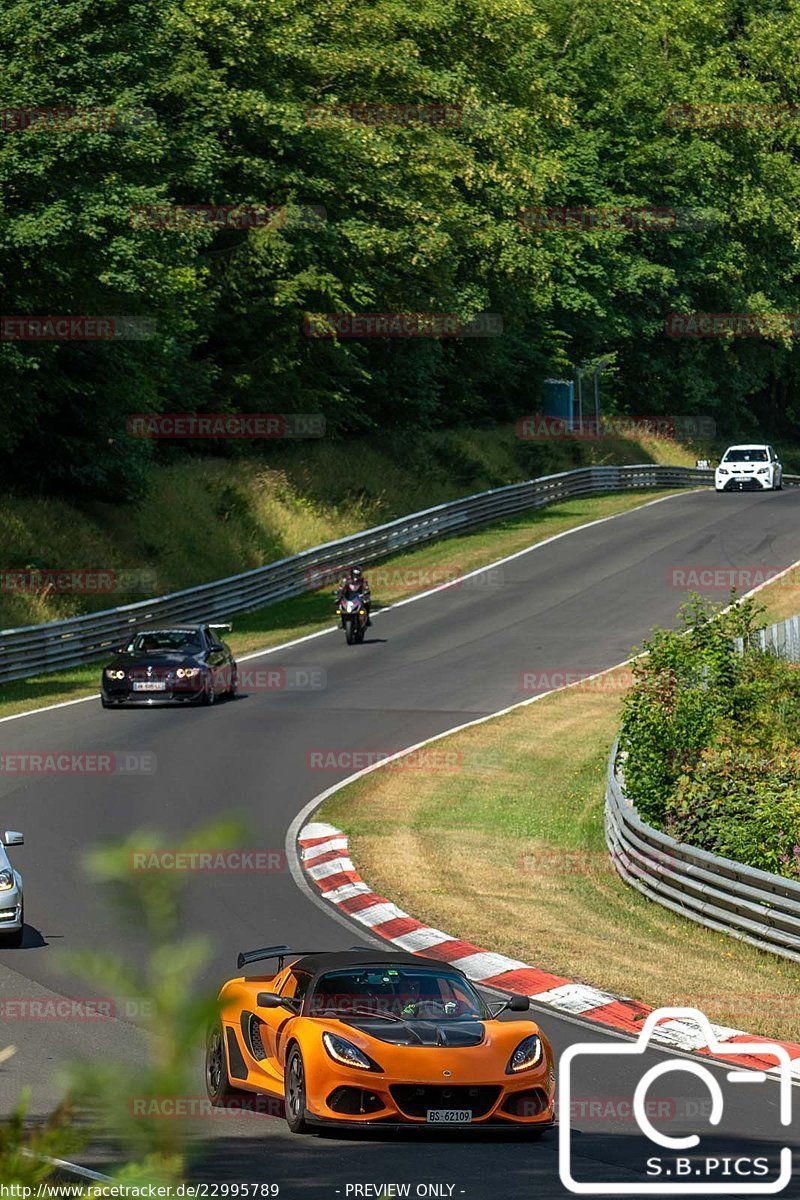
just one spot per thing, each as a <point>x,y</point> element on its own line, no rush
<point>410,993</point>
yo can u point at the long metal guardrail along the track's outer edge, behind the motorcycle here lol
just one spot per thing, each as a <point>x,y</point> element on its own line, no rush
<point>34,650</point>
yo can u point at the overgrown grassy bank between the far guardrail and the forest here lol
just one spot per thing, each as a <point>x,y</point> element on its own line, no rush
<point>203,519</point>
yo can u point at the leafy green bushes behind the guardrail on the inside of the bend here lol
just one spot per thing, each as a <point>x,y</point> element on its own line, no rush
<point>711,741</point>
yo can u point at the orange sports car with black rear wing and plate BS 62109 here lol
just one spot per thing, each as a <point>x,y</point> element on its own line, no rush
<point>380,1040</point>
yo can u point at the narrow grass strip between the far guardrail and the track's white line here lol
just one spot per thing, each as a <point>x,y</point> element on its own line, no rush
<point>393,580</point>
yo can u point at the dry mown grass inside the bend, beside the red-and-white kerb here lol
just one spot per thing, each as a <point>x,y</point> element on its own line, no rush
<point>507,850</point>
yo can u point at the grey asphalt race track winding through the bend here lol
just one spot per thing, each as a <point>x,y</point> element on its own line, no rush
<point>575,605</point>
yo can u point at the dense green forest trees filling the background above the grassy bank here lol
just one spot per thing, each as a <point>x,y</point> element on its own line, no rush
<point>560,103</point>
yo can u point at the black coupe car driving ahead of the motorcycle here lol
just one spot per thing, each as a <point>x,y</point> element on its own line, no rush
<point>179,665</point>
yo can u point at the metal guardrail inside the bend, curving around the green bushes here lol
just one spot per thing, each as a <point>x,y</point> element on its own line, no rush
<point>753,905</point>
